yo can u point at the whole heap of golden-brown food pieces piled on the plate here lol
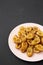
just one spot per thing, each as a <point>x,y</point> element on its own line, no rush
<point>29,40</point>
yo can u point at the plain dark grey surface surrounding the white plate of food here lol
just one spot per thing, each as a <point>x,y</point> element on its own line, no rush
<point>13,13</point>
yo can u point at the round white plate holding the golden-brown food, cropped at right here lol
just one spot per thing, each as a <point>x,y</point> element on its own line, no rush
<point>16,52</point>
